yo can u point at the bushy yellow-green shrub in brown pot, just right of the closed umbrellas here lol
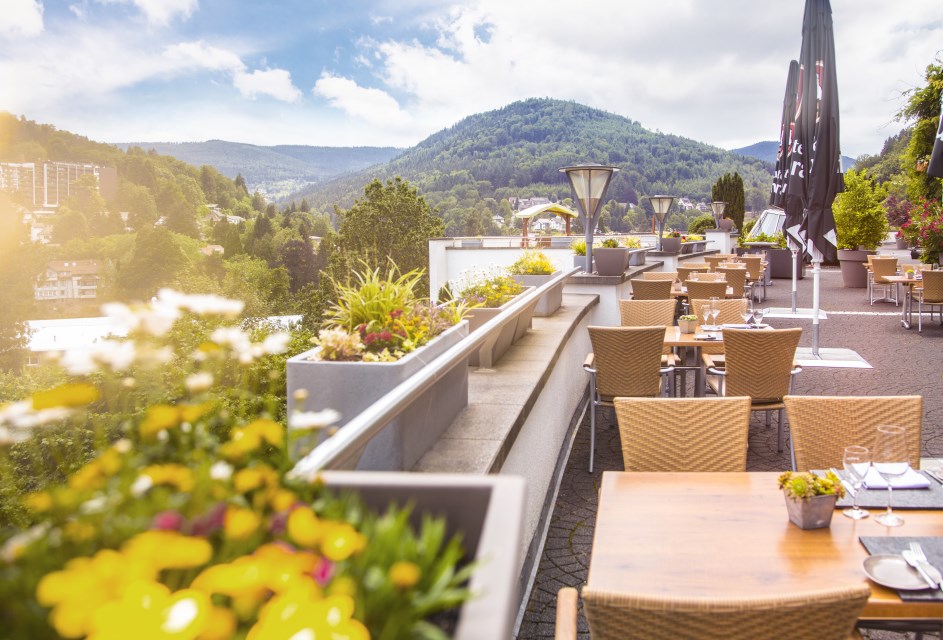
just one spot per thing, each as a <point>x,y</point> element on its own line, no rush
<point>861,226</point>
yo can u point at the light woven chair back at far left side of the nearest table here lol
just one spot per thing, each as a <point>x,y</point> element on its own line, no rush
<point>684,434</point>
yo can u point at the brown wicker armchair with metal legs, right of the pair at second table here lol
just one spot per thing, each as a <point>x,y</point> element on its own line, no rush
<point>759,364</point>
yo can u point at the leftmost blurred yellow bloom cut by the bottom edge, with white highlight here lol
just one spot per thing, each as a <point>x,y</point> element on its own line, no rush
<point>147,610</point>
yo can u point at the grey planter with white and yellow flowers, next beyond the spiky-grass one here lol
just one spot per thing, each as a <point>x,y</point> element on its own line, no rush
<point>485,295</point>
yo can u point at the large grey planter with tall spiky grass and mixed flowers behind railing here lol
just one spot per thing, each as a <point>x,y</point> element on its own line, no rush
<point>378,335</point>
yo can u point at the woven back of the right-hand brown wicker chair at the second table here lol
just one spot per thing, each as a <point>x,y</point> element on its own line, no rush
<point>759,363</point>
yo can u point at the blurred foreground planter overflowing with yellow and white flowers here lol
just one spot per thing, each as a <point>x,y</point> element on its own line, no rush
<point>177,516</point>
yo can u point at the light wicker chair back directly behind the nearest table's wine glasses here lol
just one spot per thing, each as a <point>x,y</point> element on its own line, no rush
<point>819,443</point>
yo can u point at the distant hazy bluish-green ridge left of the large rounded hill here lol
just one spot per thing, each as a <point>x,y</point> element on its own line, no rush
<point>274,171</point>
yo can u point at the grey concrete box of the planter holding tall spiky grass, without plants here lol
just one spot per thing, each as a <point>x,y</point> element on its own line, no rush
<point>351,387</point>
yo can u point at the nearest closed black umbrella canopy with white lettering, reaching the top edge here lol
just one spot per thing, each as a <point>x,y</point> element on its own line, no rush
<point>815,175</point>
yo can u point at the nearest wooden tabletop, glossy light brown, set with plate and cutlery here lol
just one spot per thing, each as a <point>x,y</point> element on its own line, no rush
<point>728,535</point>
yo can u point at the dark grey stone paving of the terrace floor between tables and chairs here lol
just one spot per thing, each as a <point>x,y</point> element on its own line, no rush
<point>904,362</point>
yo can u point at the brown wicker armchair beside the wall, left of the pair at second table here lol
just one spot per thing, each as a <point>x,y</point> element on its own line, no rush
<point>626,361</point>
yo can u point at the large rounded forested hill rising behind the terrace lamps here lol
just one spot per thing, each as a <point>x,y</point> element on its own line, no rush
<point>519,149</point>
